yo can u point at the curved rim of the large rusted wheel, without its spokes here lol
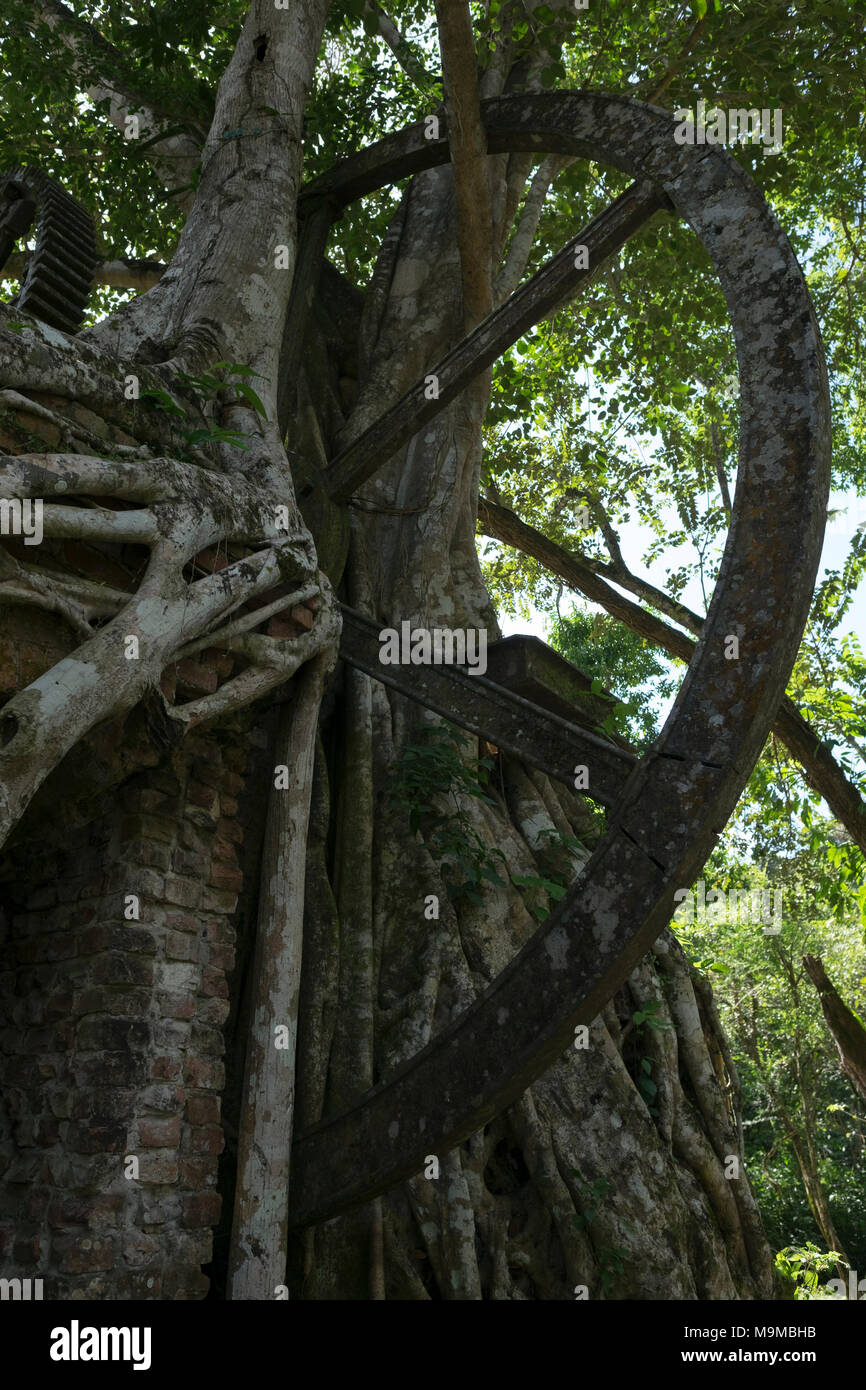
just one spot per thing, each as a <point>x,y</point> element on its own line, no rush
<point>680,796</point>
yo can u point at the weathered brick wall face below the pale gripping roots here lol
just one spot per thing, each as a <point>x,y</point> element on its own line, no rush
<point>112,1047</point>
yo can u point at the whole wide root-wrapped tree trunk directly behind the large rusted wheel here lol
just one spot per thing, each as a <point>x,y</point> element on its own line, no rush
<point>504,1217</point>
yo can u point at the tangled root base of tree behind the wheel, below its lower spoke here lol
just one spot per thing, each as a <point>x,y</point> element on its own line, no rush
<point>512,1214</point>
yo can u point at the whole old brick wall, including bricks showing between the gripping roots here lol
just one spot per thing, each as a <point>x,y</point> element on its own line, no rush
<point>112,1011</point>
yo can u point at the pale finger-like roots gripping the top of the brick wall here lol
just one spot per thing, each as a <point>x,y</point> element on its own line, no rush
<point>176,511</point>
